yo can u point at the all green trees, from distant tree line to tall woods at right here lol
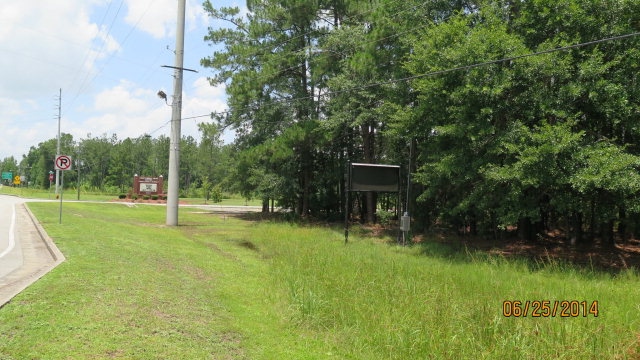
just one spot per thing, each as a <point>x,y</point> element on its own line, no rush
<point>512,116</point>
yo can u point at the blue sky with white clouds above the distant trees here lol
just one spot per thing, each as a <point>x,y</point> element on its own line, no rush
<point>106,56</point>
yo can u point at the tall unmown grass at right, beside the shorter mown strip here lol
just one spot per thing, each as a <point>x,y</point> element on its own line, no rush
<point>387,302</point>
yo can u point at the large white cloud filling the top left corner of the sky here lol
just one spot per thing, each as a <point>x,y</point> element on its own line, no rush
<point>46,45</point>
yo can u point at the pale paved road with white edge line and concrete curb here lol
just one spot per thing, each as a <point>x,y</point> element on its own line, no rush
<point>26,251</point>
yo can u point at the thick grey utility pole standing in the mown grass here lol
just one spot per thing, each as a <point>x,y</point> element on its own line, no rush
<point>176,122</point>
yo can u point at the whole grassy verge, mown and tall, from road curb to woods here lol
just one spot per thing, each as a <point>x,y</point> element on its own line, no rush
<point>219,287</point>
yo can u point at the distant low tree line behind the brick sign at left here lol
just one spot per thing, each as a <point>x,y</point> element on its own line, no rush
<point>107,164</point>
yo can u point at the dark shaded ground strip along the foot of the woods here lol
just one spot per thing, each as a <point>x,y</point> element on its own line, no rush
<point>549,253</point>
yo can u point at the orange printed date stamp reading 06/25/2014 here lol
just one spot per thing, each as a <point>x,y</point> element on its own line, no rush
<point>549,308</point>
